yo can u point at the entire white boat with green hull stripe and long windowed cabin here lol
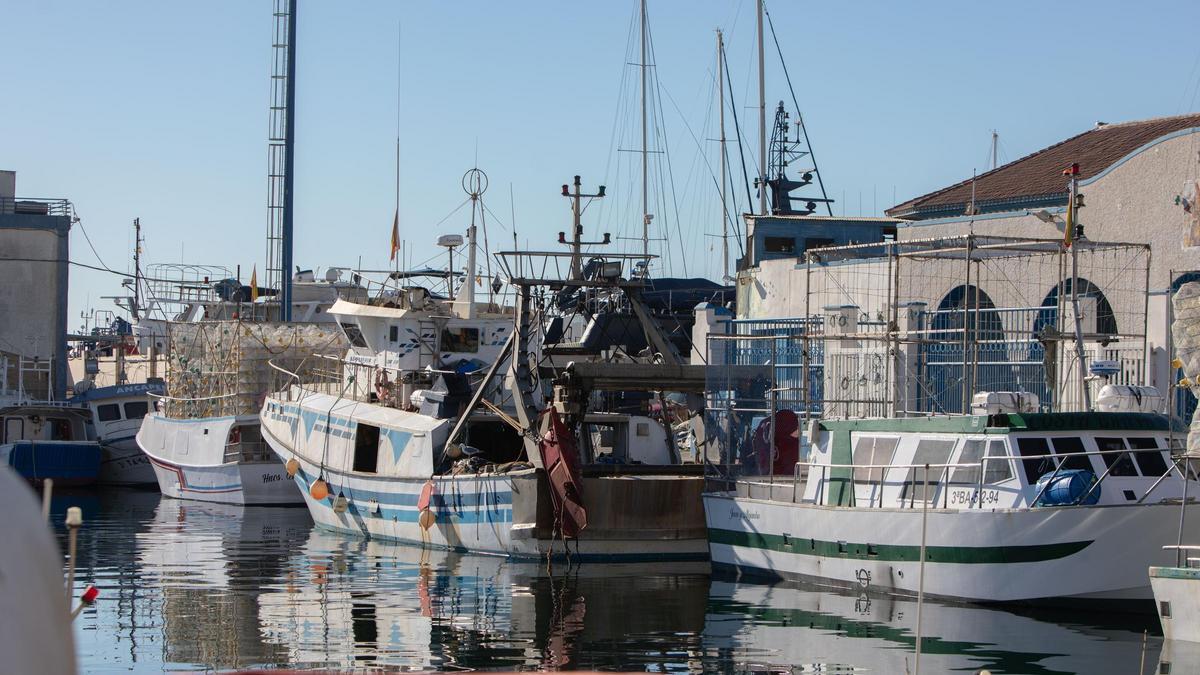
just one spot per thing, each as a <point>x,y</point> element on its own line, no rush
<point>1007,507</point>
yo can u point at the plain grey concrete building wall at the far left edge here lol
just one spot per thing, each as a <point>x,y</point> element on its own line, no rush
<point>34,294</point>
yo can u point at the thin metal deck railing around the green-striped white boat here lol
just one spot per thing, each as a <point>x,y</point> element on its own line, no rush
<point>943,482</point>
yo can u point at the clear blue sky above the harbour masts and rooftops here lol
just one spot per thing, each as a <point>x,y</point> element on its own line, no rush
<point>158,111</point>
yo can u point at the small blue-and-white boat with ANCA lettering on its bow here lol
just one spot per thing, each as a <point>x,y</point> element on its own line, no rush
<point>117,415</point>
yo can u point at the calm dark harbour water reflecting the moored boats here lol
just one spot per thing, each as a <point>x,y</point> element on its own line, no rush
<point>194,587</point>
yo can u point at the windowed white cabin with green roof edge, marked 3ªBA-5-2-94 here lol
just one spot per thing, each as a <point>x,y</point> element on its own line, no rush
<point>1015,461</point>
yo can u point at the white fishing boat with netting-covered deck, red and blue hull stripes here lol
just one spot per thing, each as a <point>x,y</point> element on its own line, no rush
<point>205,440</point>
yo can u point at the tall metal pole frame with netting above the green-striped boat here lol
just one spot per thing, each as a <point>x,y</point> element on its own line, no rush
<point>917,328</point>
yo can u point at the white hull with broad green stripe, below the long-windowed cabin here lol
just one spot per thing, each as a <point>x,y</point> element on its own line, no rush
<point>1096,553</point>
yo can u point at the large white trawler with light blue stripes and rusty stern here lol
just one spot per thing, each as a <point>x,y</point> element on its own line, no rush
<point>439,428</point>
